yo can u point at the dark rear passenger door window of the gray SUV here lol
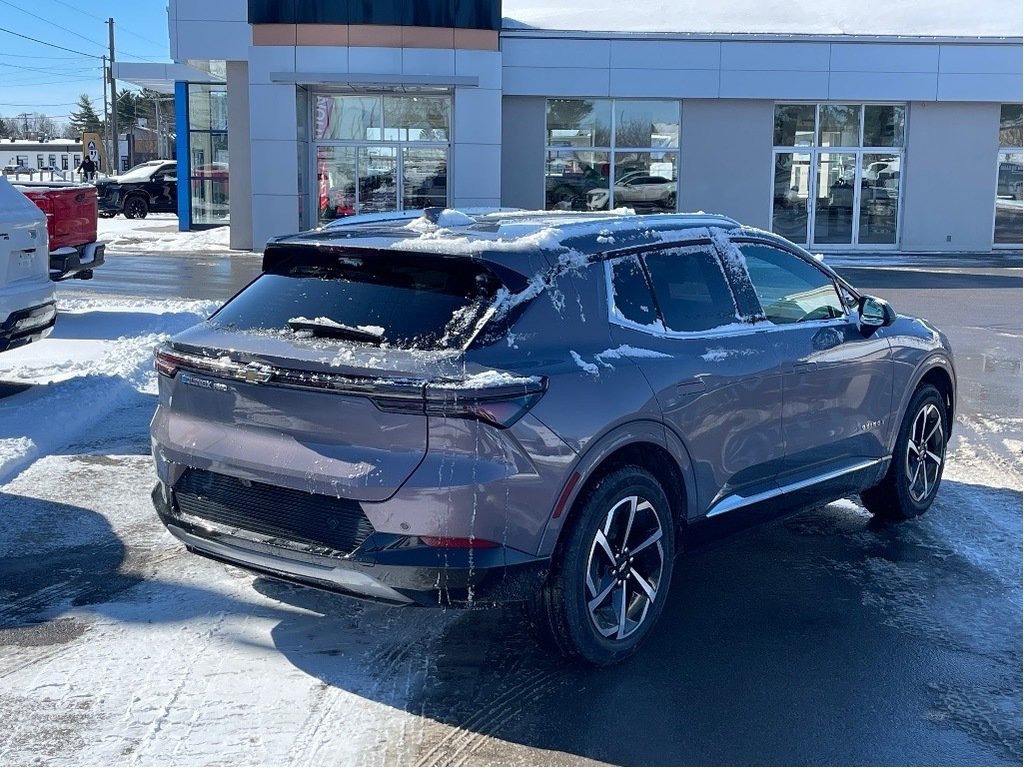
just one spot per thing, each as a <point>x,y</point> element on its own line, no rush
<point>691,289</point>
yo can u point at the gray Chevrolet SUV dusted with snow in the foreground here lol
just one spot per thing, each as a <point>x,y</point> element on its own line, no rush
<point>471,409</point>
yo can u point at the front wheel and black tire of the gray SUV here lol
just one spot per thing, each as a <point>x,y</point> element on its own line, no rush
<point>916,472</point>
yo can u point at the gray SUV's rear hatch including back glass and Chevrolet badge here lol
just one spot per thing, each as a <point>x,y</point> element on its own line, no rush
<point>318,375</point>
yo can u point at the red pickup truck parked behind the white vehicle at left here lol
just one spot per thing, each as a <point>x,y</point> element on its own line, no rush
<point>71,225</point>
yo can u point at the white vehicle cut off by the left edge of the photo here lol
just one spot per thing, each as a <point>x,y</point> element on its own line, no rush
<point>28,298</point>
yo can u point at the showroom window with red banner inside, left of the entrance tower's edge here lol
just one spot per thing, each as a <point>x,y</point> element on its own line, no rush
<point>379,153</point>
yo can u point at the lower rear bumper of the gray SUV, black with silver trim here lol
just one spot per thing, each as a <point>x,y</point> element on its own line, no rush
<point>385,568</point>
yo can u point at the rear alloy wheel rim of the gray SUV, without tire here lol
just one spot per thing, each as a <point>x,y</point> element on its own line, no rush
<point>625,567</point>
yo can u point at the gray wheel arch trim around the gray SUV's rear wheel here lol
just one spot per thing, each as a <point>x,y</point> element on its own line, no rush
<point>647,445</point>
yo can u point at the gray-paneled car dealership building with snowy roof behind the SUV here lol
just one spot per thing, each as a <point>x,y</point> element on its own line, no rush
<point>849,126</point>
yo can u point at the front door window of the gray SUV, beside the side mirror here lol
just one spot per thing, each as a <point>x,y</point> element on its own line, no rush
<point>790,289</point>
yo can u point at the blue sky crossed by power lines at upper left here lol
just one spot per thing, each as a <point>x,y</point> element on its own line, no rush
<point>36,77</point>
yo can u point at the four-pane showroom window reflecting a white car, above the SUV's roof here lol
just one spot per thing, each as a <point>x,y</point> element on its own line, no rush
<point>605,154</point>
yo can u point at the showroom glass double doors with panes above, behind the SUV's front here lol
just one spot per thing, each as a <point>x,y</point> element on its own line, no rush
<point>837,174</point>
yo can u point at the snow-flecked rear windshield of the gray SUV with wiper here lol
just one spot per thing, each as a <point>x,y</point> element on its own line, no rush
<point>412,302</point>
